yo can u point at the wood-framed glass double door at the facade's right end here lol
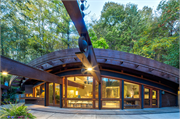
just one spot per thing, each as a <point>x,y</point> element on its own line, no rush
<point>150,97</point>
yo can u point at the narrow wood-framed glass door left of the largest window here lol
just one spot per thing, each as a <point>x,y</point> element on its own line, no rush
<point>54,94</point>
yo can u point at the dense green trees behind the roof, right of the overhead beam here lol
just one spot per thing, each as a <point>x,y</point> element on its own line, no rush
<point>155,36</point>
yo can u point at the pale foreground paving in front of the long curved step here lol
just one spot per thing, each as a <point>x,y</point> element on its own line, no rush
<point>49,115</point>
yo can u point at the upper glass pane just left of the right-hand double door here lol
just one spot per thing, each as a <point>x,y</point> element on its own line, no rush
<point>131,90</point>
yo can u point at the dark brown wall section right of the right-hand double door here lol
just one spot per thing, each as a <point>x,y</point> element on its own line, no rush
<point>168,100</point>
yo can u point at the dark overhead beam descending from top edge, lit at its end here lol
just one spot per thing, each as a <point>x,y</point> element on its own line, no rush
<point>87,57</point>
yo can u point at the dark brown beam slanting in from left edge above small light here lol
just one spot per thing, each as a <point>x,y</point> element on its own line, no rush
<point>16,68</point>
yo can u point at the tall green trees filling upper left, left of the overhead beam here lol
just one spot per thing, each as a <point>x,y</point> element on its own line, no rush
<point>31,29</point>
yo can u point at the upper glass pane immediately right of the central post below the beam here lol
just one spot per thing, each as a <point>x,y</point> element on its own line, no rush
<point>110,88</point>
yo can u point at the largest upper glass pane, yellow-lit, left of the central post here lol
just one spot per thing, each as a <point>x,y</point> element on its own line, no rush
<point>74,91</point>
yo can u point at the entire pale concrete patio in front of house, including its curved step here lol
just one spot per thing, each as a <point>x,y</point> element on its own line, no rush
<point>48,112</point>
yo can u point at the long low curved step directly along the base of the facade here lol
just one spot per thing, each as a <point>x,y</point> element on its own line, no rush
<point>52,109</point>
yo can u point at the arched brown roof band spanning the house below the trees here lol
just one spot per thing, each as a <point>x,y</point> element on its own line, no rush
<point>110,57</point>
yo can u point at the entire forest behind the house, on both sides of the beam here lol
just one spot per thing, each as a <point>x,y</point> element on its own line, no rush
<point>32,28</point>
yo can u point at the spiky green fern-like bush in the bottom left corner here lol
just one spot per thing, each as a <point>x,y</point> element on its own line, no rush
<point>15,111</point>
